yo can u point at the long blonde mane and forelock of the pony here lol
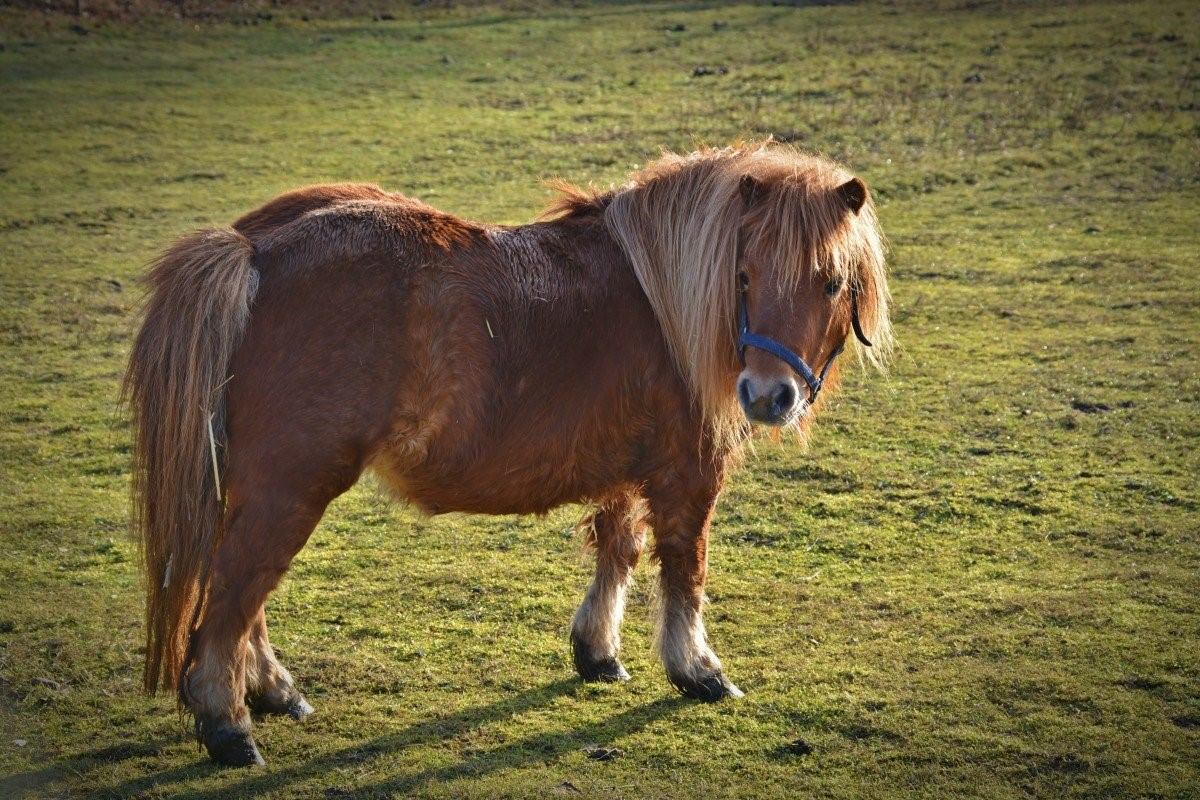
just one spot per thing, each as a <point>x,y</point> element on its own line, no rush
<point>679,221</point>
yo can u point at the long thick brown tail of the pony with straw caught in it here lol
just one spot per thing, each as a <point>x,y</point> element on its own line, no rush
<point>199,306</point>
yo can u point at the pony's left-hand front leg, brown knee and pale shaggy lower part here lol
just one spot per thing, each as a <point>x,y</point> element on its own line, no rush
<point>617,534</point>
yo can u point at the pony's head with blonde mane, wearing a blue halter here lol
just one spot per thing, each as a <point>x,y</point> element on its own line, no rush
<point>787,240</point>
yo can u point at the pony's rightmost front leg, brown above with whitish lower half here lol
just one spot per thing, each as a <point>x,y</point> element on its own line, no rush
<point>681,546</point>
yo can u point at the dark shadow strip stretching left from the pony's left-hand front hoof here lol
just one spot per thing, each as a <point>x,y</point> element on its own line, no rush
<point>435,730</point>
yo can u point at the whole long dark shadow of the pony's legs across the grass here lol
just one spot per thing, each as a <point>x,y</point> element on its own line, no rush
<point>538,748</point>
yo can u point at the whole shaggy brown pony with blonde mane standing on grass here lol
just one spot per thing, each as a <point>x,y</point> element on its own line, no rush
<point>591,357</point>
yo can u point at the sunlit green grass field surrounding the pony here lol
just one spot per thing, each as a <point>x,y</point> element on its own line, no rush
<point>981,580</point>
